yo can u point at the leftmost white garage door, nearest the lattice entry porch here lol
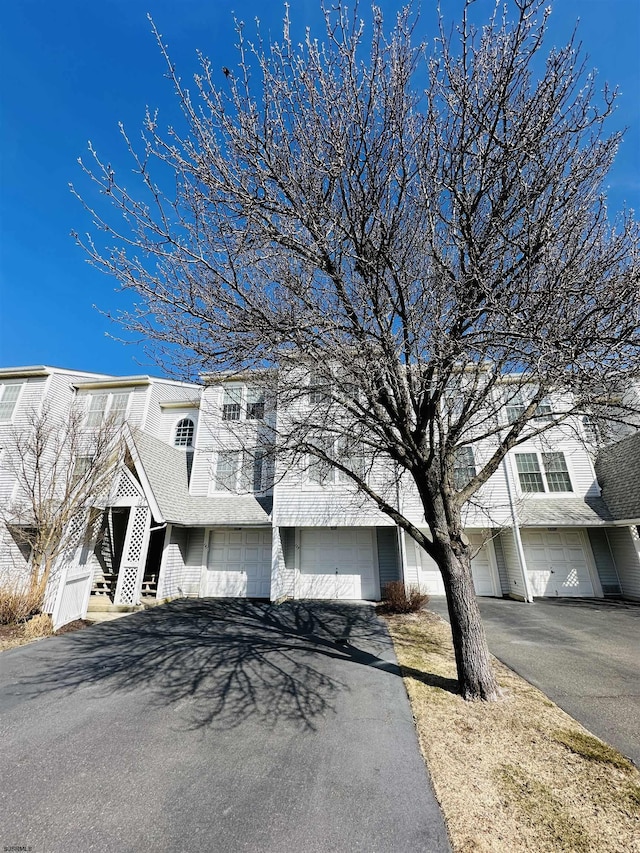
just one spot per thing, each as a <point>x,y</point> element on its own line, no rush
<point>239,563</point>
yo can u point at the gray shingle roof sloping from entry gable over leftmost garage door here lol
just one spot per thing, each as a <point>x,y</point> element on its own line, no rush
<point>166,469</point>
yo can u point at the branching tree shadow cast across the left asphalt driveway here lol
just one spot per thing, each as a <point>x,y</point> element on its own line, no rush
<point>230,659</point>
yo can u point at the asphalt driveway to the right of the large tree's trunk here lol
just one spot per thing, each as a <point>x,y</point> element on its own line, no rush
<point>583,653</point>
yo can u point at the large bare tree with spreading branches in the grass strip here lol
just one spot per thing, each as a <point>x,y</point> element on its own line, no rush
<point>425,232</point>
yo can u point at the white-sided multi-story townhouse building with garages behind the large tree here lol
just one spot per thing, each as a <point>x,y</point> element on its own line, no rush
<point>199,505</point>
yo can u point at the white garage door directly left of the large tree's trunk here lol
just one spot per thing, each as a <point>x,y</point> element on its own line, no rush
<point>337,563</point>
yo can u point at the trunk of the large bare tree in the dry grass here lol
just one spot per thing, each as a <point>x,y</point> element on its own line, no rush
<point>475,674</point>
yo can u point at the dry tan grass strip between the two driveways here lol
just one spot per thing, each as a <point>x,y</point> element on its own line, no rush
<point>516,775</point>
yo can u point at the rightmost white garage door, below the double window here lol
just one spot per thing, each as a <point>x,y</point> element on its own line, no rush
<point>557,563</point>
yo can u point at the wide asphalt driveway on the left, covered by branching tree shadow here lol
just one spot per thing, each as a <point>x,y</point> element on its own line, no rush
<point>214,725</point>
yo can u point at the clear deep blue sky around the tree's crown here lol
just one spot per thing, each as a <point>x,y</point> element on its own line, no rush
<point>71,70</point>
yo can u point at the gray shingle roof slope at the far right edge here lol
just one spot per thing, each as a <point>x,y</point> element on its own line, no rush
<point>618,472</point>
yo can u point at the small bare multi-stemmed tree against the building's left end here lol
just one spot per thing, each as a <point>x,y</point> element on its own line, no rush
<point>61,470</point>
